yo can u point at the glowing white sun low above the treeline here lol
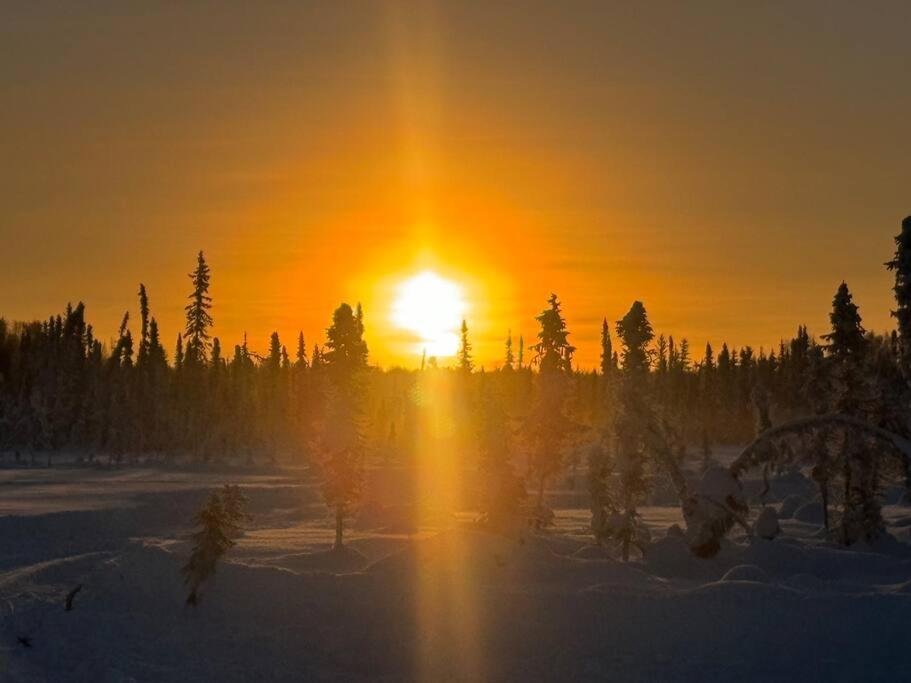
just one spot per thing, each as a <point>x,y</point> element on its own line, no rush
<point>430,307</point>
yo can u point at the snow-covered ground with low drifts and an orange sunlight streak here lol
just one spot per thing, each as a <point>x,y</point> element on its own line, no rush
<point>436,601</point>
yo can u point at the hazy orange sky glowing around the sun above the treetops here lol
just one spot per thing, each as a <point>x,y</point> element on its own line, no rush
<point>728,164</point>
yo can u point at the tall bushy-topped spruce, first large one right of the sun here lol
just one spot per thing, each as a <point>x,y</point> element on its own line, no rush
<point>547,425</point>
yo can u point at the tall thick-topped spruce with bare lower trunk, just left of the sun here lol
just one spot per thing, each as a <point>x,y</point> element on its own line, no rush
<point>342,441</point>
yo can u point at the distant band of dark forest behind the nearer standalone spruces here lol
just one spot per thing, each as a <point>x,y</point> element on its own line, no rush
<point>62,389</point>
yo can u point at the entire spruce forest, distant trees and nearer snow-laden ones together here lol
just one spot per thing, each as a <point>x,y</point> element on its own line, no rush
<point>829,402</point>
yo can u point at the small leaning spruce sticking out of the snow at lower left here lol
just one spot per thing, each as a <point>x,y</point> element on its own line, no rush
<point>218,521</point>
